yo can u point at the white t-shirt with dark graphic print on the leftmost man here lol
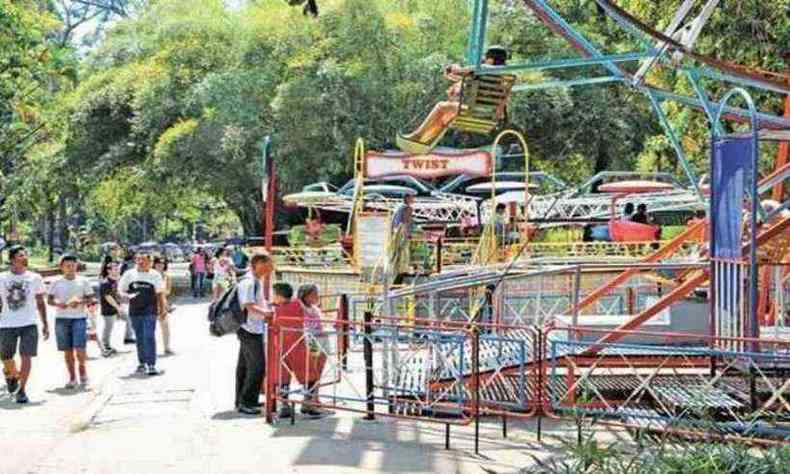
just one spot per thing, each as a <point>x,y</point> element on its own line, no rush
<point>18,294</point>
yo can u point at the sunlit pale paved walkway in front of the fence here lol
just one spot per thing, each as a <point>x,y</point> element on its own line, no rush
<point>183,421</point>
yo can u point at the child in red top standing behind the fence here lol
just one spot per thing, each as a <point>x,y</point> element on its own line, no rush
<point>305,364</point>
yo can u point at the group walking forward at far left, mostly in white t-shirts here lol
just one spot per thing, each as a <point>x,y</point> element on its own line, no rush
<point>138,296</point>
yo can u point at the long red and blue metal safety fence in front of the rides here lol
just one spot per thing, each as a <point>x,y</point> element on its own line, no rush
<point>456,373</point>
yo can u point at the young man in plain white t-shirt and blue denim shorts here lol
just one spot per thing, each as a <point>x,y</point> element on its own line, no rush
<point>70,295</point>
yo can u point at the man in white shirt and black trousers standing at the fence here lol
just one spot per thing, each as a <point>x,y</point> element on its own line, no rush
<point>251,367</point>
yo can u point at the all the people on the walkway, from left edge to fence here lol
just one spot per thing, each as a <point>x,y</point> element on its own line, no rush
<point>137,295</point>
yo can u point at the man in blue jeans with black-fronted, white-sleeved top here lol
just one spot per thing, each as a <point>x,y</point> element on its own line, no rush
<point>144,288</point>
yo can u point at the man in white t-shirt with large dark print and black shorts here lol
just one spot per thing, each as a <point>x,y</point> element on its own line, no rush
<point>21,293</point>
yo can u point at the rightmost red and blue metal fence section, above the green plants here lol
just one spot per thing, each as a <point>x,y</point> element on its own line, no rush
<point>684,384</point>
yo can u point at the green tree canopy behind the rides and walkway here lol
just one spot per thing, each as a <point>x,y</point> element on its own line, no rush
<point>165,113</point>
